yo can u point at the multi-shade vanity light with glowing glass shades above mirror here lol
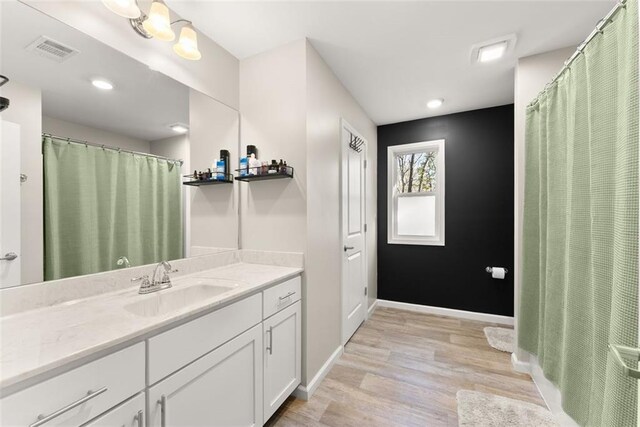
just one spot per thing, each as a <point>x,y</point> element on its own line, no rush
<point>158,25</point>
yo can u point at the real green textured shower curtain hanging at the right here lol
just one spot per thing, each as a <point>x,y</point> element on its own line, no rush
<point>580,243</point>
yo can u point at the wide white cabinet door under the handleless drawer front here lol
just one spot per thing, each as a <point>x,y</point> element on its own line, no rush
<point>223,388</point>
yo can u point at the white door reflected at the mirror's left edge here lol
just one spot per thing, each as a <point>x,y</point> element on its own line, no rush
<point>9,204</point>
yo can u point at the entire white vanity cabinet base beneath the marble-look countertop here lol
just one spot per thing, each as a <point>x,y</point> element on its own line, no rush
<point>231,367</point>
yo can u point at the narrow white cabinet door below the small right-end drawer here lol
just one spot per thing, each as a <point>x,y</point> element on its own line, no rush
<point>282,357</point>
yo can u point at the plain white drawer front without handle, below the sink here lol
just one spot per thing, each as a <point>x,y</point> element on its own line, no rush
<point>179,346</point>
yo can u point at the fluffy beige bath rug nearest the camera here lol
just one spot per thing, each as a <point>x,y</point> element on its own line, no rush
<point>476,409</point>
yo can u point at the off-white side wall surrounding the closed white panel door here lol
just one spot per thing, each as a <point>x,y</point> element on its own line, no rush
<point>328,101</point>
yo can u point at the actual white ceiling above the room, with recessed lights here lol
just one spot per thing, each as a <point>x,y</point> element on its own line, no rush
<point>392,55</point>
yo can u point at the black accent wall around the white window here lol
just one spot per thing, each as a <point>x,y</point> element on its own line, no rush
<point>478,215</point>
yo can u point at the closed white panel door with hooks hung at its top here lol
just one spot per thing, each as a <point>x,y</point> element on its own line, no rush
<point>354,283</point>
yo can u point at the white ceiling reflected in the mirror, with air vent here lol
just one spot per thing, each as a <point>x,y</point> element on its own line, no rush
<point>142,105</point>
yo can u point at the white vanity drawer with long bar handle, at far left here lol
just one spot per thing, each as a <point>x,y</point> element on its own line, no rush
<point>86,392</point>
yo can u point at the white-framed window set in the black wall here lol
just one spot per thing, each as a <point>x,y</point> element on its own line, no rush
<point>416,193</point>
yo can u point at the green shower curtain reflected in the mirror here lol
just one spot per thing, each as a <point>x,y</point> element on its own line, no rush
<point>101,204</point>
